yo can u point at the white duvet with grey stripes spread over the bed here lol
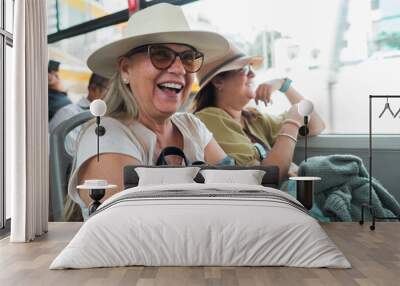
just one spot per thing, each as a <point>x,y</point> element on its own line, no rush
<point>185,230</point>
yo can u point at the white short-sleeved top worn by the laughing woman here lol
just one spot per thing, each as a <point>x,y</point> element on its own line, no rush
<point>136,141</point>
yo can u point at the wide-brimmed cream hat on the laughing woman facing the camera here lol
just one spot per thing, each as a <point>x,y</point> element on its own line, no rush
<point>161,23</point>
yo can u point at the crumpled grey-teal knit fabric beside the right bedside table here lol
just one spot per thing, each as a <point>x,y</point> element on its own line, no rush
<point>345,187</point>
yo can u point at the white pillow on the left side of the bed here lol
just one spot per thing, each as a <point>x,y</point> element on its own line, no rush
<point>163,176</point>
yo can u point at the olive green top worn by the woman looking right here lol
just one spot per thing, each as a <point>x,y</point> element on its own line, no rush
<point>235,140</point>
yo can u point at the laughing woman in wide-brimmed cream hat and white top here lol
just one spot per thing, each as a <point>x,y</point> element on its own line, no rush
<point>151,73</point>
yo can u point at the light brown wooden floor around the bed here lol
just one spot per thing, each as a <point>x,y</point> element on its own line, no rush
<point>374,255</point>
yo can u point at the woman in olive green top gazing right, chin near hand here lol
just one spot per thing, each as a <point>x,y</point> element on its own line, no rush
<point>251,138</point>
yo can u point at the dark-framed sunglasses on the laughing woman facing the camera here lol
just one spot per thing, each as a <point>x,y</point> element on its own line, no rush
<point>163,57</point>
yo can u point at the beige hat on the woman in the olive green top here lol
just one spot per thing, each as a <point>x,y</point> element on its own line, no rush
<point>234,59</point>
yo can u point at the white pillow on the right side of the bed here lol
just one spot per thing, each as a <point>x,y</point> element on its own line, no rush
<point>248,177</point>
